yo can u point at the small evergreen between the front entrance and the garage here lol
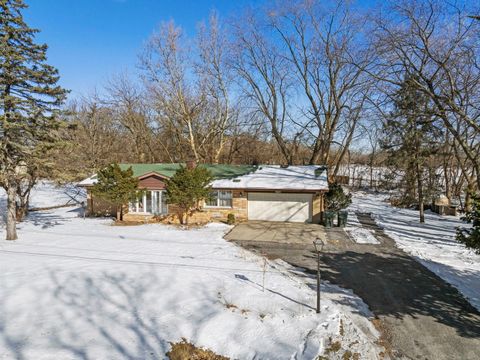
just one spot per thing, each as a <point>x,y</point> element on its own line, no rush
<point>187,188</point>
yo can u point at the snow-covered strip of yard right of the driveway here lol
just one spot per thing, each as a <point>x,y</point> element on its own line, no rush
<point>432,243</point>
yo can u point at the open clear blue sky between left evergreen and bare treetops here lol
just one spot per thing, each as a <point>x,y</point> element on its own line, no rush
<point>90,40</point>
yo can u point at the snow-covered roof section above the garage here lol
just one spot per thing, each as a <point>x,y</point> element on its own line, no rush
<point>274,177</point>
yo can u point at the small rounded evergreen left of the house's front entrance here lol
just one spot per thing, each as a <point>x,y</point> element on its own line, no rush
<point>117,186</point>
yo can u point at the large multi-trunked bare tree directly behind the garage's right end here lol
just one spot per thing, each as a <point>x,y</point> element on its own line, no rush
<point>324,49</point>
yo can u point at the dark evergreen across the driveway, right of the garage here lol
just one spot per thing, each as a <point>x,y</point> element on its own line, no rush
<point>410,138</point>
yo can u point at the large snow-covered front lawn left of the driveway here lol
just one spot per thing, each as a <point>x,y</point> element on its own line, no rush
<point>83,289</point>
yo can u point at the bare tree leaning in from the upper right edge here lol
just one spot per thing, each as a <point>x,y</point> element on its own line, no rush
<point>436,43</point>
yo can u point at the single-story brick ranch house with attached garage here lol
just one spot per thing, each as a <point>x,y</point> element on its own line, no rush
<point>266,192</point>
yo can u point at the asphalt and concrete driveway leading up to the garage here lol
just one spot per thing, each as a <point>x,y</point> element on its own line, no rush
<point>420,315</point>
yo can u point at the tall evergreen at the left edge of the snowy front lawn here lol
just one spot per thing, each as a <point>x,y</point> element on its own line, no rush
<point>29,101</point>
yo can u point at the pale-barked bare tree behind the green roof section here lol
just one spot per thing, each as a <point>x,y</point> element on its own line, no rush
<point>190,88</point>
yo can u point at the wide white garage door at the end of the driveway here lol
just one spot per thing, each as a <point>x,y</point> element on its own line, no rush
<point>280,207</point>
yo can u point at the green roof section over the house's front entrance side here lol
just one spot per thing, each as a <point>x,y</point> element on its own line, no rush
<point>218,171</point>
